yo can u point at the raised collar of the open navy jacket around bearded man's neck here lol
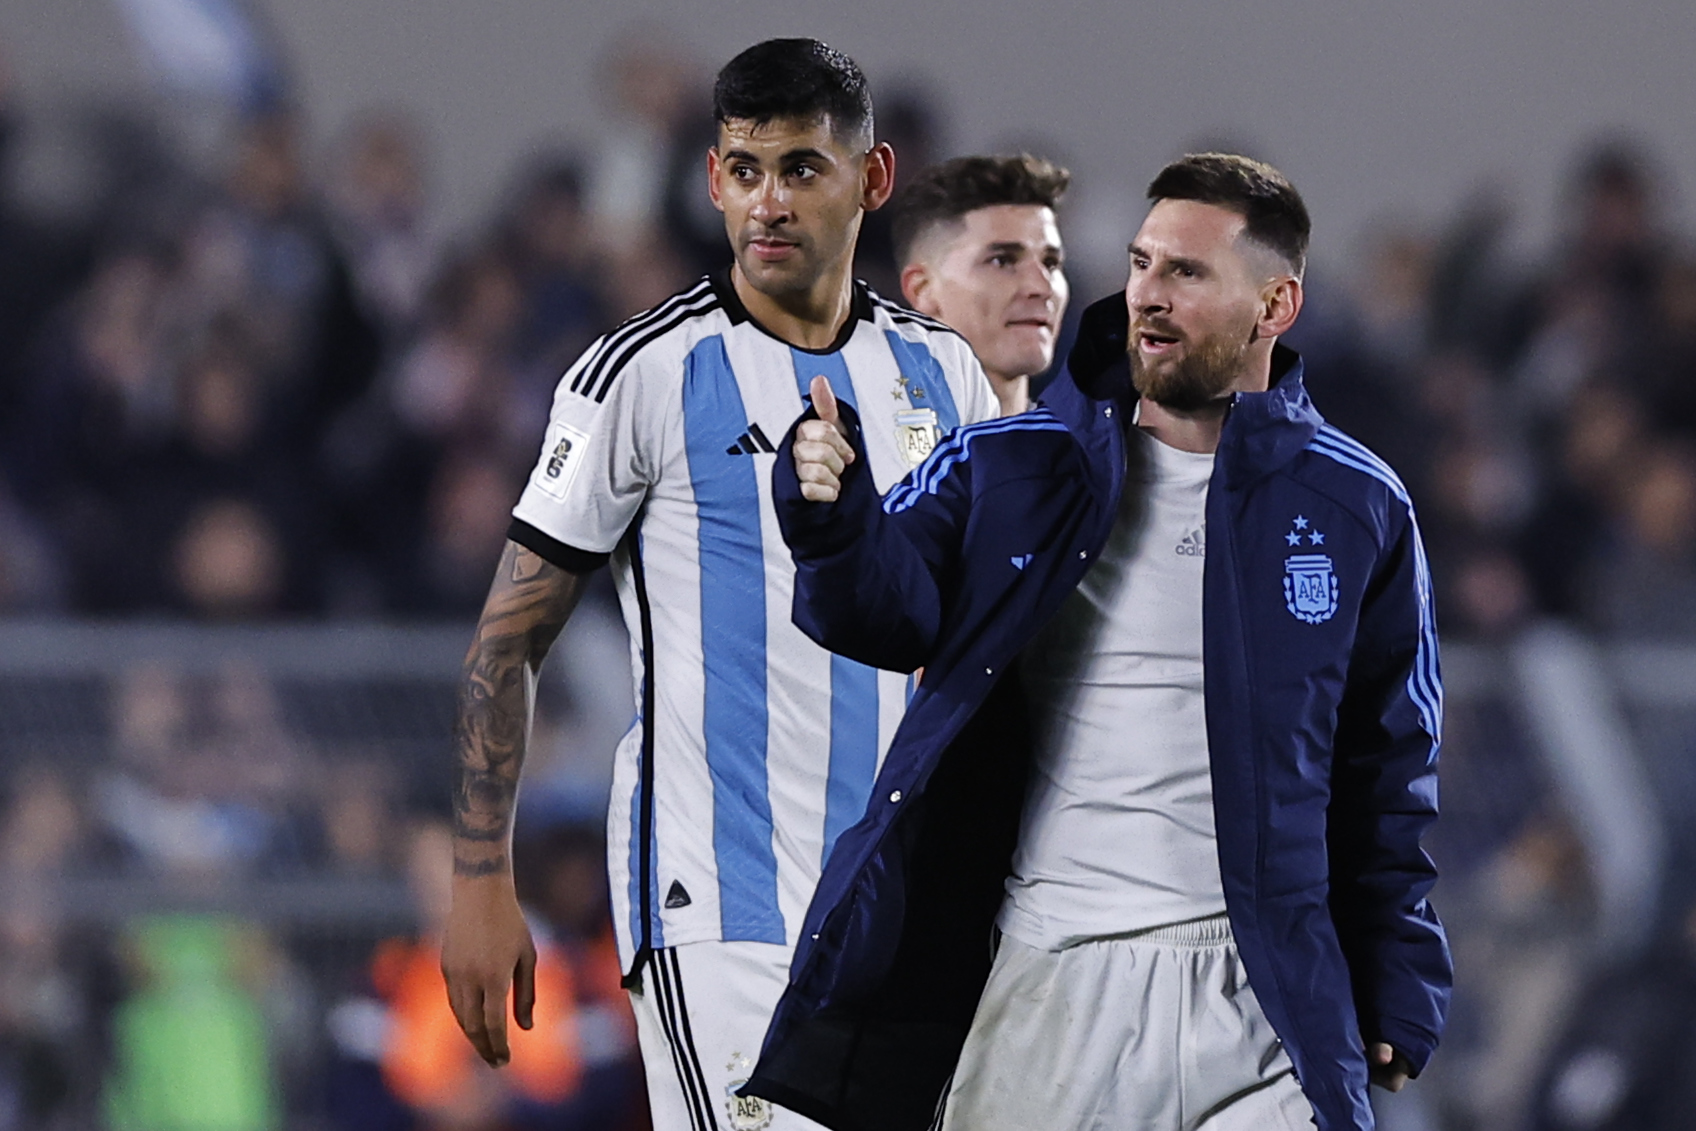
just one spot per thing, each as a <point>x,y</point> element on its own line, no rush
<point>1263,432</point>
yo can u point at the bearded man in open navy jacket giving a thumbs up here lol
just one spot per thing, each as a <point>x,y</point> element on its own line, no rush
<point>1319,713</point>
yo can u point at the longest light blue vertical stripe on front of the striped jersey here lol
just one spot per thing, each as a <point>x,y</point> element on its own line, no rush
<point>734,647</point>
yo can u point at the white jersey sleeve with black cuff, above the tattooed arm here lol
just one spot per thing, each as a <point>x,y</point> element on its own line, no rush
<point>598,462</point>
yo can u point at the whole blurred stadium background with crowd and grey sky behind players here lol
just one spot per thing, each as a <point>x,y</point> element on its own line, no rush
<point>284,289</point>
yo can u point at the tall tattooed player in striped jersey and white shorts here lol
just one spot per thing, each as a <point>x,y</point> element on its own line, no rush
<point>752,749</point>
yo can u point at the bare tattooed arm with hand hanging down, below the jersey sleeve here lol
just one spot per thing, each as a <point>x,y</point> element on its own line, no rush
<point>488,947</point>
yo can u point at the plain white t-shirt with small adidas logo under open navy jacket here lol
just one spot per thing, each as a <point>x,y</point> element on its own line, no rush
<point>1119,825</point>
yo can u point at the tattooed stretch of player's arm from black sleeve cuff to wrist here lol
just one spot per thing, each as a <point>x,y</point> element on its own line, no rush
<point>527,608</point>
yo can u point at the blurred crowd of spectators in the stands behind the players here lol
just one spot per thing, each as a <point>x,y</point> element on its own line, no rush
<point>277,393</point>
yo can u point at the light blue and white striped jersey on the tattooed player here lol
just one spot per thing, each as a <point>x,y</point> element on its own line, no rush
<point>754,749</point>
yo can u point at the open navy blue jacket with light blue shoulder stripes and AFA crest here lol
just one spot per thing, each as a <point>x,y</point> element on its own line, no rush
<point>1324,715</point>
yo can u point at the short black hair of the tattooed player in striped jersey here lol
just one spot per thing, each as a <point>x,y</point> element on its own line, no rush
<point>795,79</point>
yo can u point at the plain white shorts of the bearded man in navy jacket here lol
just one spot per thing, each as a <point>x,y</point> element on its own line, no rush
<point>1154,1032</point>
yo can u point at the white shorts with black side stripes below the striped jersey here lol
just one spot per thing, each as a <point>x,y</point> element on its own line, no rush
<point>701,1020</point>
